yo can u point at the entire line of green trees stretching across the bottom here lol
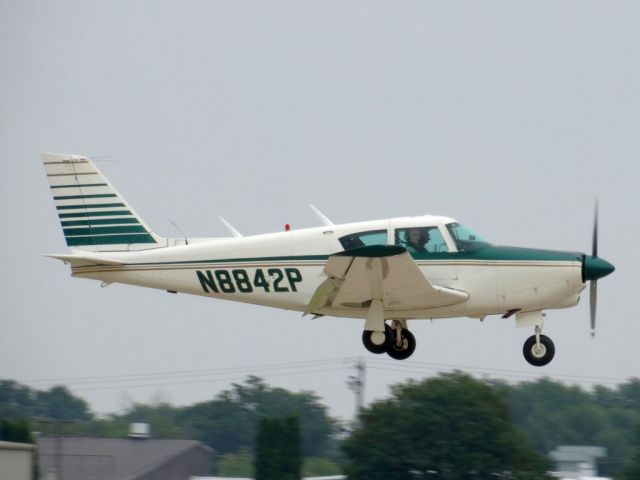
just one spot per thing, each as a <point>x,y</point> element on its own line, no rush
<point>531,418</point>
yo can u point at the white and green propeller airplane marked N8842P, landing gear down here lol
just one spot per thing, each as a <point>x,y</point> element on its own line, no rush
<point>386,272</point>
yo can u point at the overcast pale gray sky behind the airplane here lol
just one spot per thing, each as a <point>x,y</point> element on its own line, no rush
<point>508,116</point>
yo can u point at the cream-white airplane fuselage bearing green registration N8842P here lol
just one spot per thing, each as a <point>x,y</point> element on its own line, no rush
<point>284,269</point>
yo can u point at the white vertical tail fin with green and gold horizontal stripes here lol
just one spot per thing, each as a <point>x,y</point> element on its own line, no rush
<point>94,216</point>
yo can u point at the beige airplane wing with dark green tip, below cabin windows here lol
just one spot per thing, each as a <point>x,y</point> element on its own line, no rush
<point>385,272</point>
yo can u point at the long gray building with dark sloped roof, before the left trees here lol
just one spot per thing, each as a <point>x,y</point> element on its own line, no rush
<point>82,458</point>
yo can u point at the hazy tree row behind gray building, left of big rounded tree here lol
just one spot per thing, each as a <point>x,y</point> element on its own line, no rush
<point>228,423</point>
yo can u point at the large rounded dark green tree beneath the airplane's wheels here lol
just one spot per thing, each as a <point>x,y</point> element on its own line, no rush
<point>451,427</point>
